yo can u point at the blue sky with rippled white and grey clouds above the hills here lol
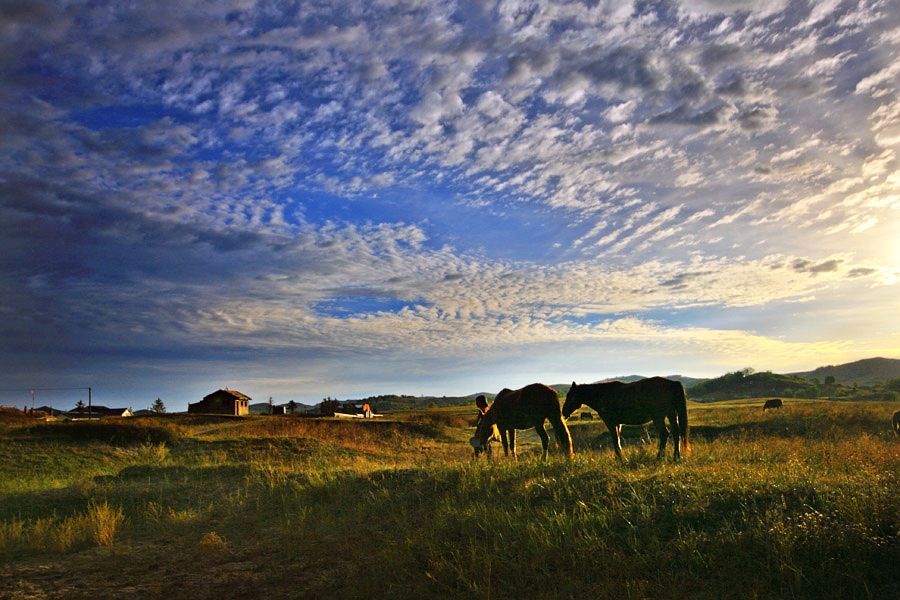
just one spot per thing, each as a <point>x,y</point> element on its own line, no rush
<point>308,199</point>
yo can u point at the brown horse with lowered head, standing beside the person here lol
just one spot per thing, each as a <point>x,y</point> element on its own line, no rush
<point>523,409</point>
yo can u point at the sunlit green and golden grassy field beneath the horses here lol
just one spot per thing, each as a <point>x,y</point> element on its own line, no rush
<point>796,503</point>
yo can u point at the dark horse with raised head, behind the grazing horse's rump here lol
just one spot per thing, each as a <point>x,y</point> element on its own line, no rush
<point>636,403</point>
